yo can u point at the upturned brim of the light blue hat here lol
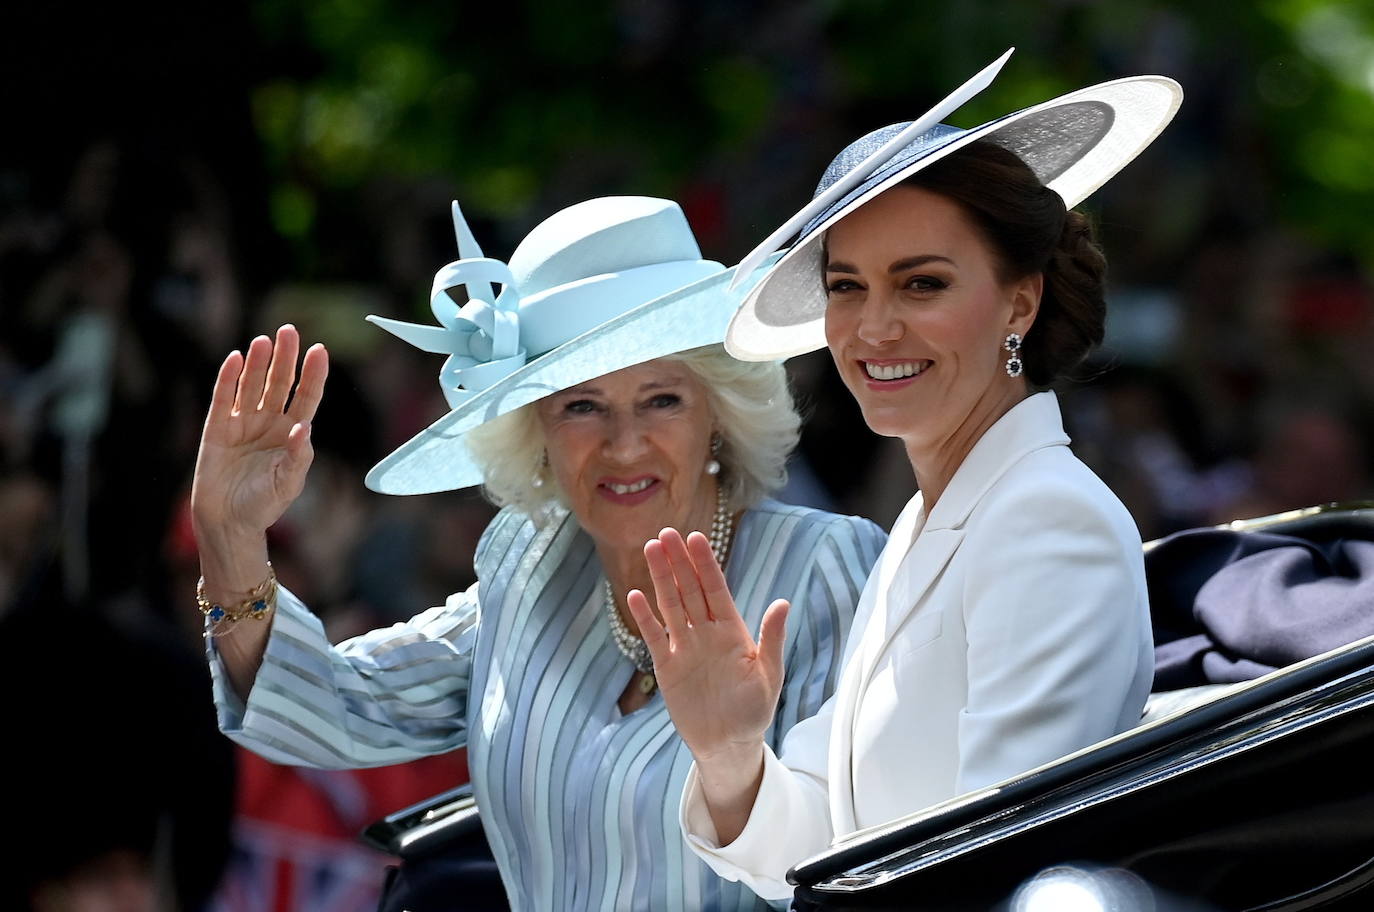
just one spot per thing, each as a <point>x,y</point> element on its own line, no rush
<point>696,315</point>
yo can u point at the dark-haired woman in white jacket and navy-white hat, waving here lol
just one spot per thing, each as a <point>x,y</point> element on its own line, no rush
<point>1006,623</point>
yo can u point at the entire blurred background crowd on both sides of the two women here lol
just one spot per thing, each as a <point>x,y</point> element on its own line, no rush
<point>1237,381</point>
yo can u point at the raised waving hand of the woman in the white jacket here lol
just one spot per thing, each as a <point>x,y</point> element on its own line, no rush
<point>721,686</point>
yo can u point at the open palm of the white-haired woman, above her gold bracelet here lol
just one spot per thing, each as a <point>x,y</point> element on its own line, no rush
<point>256,444</point>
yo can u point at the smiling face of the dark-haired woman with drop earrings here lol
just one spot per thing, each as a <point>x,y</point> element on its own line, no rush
<point>916,319</point>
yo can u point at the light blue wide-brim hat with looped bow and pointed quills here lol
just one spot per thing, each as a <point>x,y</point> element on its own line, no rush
<point>597,288</point>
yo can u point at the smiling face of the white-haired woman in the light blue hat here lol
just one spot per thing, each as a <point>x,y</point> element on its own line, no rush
<point>630,453</point>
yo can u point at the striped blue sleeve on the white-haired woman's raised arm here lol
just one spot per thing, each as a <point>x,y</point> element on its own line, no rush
<point>387,697</point>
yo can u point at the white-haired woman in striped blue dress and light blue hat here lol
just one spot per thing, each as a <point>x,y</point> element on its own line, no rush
<point>594,431</point>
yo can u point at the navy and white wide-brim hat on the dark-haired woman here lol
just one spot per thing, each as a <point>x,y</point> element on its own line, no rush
<point>1074,144</point>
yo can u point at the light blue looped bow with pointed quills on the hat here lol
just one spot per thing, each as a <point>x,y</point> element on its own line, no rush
<point>482,339</point>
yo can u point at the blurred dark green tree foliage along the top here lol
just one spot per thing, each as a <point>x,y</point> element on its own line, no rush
<point>523,105</point>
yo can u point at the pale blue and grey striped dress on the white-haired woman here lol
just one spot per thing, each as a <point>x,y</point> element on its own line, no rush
<point>579,801</point>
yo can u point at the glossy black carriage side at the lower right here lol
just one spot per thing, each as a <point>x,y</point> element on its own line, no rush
<point>1257,796</point>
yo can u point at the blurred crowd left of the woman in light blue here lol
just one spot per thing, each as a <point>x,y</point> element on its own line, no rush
<point>120,297</point>
